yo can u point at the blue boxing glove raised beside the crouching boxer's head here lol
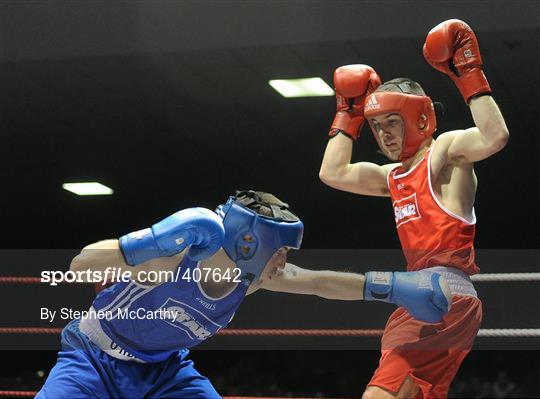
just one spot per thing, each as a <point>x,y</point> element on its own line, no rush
<point>199,227</point>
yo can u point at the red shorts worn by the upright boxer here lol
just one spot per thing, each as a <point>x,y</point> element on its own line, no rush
<point>428,353</point>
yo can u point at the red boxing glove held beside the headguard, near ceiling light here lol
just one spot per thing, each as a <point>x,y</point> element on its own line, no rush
<point>353,84</point>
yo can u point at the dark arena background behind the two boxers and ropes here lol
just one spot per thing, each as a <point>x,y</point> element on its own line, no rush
<point>168,104</point>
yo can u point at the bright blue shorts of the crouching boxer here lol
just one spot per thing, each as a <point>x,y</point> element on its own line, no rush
<point>85,371</point>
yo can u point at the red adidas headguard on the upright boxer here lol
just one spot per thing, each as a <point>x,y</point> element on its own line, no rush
<point>417,112</point>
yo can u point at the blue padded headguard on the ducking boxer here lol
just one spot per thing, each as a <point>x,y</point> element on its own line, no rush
<point>251,238</point>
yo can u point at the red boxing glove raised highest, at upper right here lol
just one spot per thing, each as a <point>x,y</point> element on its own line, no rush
<point>452,48</point>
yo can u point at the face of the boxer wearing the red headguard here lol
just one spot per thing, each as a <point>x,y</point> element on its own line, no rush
<point>389,128</point>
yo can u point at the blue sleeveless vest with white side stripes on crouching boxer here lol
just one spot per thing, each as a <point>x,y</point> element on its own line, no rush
<point>181,316</point>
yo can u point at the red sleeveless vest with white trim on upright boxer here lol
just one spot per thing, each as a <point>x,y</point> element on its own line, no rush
<point>430,234</point>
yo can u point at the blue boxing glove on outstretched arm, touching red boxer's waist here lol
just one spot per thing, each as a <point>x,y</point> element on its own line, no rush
<point>425,295</point>
